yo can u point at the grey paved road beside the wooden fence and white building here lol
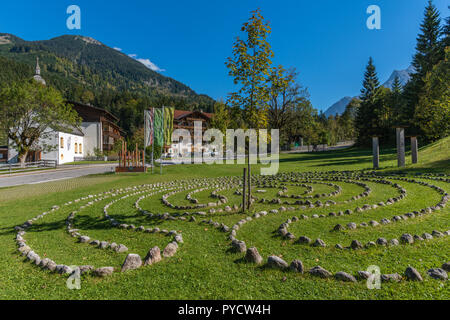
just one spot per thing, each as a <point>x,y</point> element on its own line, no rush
<point>54,175</point>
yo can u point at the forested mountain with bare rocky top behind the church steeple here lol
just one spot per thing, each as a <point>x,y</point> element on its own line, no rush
<point>70,60</point>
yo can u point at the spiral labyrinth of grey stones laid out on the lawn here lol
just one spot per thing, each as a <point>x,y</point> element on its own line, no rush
<point>299,222</point>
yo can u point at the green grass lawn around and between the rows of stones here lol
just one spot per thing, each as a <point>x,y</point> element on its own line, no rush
<point>204,267</point>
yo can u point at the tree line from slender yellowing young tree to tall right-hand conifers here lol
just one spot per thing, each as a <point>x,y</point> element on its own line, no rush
<point>271,97</point>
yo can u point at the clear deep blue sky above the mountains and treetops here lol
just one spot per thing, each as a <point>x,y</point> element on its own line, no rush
<point>326,40</point>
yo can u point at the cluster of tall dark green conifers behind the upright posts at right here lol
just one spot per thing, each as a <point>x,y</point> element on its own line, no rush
<point>422,106</point>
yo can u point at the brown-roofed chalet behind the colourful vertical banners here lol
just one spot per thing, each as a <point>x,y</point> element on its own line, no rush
<point>185,120</point>
